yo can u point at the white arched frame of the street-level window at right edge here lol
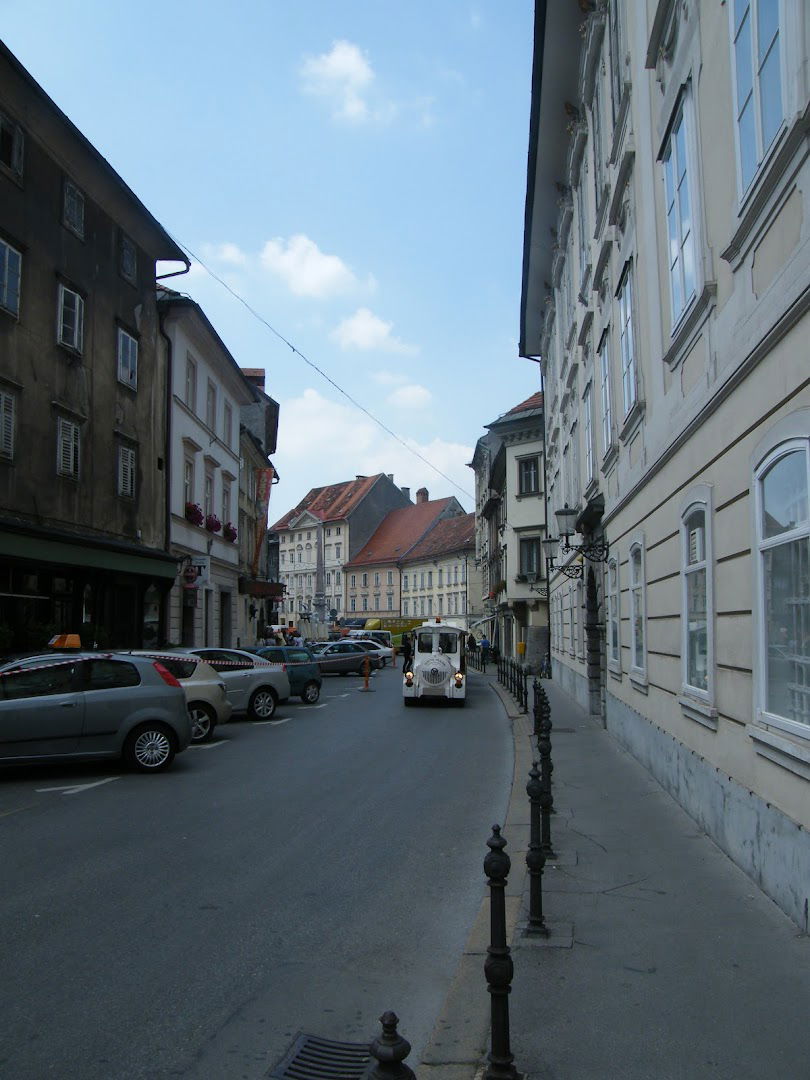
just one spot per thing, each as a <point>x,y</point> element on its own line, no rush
<point>788,437</point>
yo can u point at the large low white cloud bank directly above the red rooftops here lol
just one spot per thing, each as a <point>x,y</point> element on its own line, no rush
<point>325,442</point>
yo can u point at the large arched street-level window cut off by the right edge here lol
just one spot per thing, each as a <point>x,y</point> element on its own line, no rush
<point>784,541</point>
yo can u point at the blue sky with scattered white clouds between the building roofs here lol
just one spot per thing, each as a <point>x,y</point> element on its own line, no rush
<point>348,179</point>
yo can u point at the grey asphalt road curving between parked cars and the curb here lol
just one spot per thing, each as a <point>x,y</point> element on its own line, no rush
<point>304,874</point>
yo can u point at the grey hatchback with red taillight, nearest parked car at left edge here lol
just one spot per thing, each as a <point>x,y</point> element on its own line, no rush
<point>94,706</point>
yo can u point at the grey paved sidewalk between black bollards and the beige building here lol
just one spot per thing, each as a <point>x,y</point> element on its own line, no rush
<point>665,962</point>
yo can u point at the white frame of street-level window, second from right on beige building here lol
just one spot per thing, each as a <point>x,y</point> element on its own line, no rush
<point>698,501</point>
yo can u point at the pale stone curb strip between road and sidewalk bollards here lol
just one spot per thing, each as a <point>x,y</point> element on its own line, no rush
<point>458,1045</point>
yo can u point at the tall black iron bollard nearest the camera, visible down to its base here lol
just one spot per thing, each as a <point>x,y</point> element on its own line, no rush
<point>498,968</point>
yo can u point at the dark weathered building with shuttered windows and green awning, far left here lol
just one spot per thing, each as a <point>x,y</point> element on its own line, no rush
<point>84,452</point>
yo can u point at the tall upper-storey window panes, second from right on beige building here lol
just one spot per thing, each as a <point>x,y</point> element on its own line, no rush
<point>680,226</point>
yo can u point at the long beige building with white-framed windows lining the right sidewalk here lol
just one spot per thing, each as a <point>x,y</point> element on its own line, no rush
<point>667,285</point>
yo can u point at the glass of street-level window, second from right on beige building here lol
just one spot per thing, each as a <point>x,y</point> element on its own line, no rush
<point>697,600</point>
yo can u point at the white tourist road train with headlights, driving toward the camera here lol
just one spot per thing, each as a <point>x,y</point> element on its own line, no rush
<point>437,670</point>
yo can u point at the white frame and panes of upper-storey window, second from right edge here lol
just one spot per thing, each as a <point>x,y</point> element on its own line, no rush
<point>678,173</point>
